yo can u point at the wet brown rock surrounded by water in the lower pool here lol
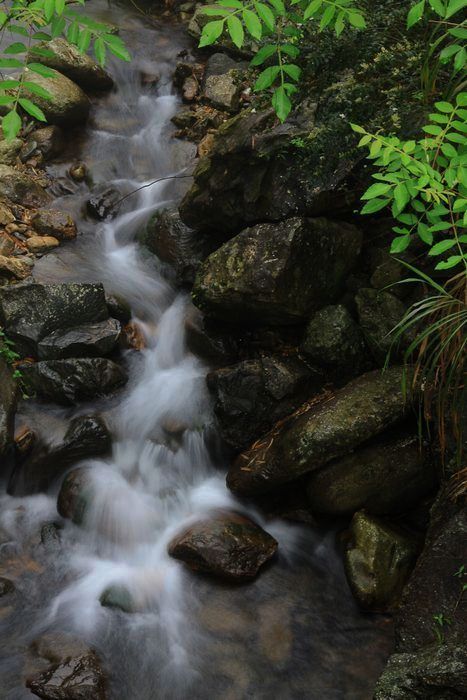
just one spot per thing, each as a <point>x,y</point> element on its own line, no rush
<point>228,546</point>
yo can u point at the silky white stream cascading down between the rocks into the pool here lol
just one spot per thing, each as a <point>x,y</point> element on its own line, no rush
<point>294,632</point>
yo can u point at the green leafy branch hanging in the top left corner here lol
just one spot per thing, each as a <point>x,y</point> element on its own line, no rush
<point>36,23</point>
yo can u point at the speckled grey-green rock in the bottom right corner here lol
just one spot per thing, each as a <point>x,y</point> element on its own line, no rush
<point>436,672</point>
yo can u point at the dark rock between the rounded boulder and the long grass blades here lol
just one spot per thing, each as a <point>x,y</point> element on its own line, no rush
<point>379,313</point>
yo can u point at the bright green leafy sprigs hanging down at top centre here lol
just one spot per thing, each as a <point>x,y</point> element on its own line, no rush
<point>279,25</point>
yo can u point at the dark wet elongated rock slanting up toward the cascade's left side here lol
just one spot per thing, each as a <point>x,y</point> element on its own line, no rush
<point>86,436</point>
